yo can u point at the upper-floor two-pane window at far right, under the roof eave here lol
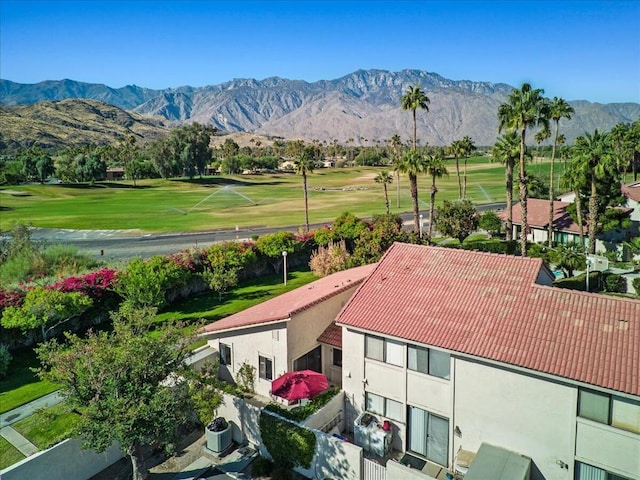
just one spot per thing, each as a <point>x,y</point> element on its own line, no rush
<point>611,410</point>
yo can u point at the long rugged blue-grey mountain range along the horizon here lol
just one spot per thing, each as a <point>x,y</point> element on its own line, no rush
<point>363,106</point>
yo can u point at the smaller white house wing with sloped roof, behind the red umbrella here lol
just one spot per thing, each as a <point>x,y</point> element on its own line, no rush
<point>291,332</point>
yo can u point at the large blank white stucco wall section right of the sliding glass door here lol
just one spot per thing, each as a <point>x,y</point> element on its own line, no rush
<point>520,413</point>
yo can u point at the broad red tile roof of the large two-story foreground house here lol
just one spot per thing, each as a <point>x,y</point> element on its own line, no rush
<point>489,306</point>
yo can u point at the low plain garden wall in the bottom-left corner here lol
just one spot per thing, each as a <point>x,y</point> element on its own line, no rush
<point>63,461</point>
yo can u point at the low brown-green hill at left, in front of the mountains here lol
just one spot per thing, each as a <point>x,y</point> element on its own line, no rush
<point>73,123</point>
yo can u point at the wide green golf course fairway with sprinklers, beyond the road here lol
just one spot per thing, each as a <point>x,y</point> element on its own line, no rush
<point>244,200</point>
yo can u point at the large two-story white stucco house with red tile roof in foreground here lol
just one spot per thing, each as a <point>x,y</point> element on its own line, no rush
<point>458,349</point>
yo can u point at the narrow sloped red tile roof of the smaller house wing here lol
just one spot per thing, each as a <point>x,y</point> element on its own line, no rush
<point>288,304</point>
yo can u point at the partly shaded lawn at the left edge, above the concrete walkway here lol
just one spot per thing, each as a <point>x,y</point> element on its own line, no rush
<point>22,385</point>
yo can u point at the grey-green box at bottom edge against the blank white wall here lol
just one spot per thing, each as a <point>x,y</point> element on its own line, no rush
<point>498,464</point>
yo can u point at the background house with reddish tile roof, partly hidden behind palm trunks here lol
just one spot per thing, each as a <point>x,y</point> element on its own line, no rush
<point>565,230</point>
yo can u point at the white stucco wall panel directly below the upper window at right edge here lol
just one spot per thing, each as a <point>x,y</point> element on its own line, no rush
<point>612,449</point>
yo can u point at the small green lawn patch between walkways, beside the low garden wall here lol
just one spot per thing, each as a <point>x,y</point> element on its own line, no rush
<point>48,426</point>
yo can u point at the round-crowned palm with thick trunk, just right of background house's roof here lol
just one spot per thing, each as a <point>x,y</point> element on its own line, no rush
<point>593,156</point>
